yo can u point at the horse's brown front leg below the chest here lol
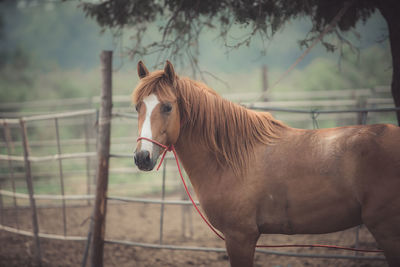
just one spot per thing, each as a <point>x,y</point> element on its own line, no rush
<point>241,248</point>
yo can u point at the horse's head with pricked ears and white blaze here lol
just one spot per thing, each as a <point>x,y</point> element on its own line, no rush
<point>158,113</point>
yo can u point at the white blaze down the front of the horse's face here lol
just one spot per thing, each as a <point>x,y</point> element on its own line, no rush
<point>150,102</point>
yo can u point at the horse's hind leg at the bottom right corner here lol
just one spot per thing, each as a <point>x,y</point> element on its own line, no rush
<point>384,224</point>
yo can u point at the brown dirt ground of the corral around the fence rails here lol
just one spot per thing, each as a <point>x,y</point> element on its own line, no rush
<point>141,223</point>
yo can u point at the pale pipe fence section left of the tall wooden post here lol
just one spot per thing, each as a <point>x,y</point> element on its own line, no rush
<point>27,159</point>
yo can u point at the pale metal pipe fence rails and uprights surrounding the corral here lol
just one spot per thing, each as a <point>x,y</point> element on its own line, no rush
<point>88,156</point>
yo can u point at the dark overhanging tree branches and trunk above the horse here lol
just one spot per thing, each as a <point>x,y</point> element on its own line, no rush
<point>184,20</point>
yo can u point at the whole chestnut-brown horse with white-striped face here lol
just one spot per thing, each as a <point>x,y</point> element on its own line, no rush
<point>255,175</point>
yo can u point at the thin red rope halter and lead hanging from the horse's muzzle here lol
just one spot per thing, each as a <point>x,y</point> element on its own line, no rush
<point>172,148</point>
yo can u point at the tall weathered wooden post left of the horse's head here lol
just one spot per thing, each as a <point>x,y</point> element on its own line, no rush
<point>103,152</point>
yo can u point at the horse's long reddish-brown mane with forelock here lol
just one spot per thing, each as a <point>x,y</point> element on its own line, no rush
<point>228,130</point>
